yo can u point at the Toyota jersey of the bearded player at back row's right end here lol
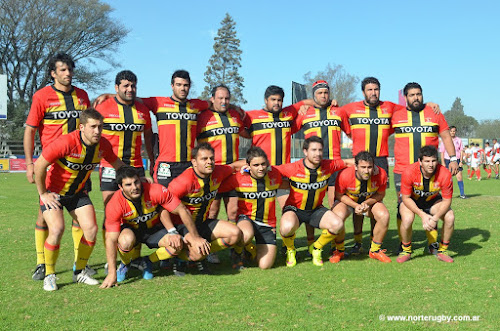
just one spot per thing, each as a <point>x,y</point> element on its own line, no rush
<point>413,130</point>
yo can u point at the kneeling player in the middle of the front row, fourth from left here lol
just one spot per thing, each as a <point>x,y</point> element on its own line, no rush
<point>256,192</point>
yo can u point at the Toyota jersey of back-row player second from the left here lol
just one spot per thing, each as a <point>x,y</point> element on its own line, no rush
<point>123,127</point>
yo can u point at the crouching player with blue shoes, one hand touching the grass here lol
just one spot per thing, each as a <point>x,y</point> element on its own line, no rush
<point>138,213</point>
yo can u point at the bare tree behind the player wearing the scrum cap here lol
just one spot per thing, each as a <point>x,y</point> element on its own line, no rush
<point>342,84</point>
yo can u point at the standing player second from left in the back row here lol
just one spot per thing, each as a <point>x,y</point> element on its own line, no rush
<point>125,120</point>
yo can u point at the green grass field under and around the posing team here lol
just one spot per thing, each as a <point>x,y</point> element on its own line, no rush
<point>355,294</point>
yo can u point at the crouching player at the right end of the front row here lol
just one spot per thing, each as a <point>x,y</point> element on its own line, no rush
<point>426,189</point>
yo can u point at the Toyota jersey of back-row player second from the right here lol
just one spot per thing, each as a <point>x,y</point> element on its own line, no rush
<point>370,126</point>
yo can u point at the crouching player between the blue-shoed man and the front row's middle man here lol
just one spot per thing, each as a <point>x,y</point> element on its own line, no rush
<point>197,187</point>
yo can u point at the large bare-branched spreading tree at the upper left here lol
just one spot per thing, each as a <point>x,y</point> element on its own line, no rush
<point>36,29</point>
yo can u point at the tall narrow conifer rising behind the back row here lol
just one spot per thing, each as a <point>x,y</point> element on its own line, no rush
<point>225,62</point>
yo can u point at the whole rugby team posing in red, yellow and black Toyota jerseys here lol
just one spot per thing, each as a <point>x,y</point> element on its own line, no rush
<point>197,165</point>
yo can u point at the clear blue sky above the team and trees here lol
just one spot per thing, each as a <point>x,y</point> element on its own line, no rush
<point>451,48</point>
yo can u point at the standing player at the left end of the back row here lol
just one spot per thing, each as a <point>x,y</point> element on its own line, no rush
<point>55,111</point>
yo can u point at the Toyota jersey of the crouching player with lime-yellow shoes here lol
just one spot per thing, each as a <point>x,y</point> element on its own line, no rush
<point>308,186</point>
